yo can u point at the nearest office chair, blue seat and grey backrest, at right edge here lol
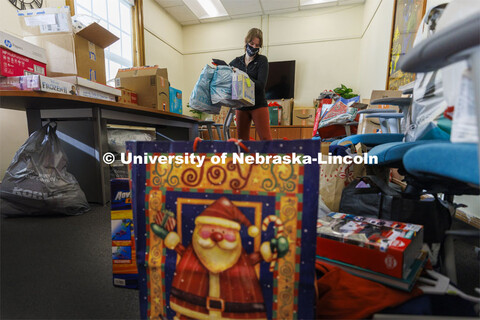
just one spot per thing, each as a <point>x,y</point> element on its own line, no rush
<point>450,168</point>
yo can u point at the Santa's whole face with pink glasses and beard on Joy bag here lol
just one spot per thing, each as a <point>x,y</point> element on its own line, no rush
<point>218,248</point>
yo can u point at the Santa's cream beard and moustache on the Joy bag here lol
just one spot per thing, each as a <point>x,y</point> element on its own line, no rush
<point>216,256</point>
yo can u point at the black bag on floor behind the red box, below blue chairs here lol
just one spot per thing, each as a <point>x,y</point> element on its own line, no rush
<point>383,202</point>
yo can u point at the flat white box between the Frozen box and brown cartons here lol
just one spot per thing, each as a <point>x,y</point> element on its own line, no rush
<point>90,89</point>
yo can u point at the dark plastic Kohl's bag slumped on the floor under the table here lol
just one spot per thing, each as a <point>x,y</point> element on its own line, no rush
<point>37,181</point>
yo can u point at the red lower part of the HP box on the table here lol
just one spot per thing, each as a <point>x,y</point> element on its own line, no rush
<point>13,64</point>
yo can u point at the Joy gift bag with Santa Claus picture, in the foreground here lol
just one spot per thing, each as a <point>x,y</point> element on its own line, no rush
<point>225,240</point>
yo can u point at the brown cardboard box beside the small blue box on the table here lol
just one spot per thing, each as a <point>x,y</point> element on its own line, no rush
<point>150,84</point>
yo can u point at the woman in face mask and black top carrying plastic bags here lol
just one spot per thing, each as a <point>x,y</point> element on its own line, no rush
<point>256,66</point>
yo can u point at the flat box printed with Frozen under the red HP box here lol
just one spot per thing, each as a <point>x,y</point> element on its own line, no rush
<point>37,83</point>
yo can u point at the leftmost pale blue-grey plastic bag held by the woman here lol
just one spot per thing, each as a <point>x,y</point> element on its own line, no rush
<point>200,98</point>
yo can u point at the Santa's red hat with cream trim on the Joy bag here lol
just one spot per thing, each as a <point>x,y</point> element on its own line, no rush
<point>225,214</point>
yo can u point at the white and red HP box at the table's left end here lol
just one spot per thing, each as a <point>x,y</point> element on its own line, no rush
<point>20,58</point>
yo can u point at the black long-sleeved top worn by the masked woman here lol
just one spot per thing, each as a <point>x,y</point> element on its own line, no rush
<point>257,70</point>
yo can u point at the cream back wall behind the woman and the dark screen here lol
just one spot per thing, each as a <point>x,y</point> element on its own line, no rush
<point>323,42</point>
